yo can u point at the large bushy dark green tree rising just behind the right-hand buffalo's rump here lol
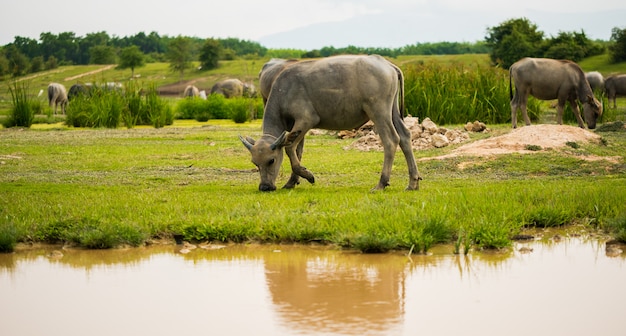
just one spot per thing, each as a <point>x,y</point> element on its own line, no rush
<point>513,40</point>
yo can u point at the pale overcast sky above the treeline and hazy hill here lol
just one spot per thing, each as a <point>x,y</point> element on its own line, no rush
<point>257,19</point>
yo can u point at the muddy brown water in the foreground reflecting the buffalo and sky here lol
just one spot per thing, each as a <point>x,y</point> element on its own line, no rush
<point>569,287</point>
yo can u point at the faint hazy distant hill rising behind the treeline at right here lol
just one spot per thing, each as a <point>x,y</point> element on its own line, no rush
<point>394,30</point>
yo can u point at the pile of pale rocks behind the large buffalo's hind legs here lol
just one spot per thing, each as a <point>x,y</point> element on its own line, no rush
<point>423,136</point>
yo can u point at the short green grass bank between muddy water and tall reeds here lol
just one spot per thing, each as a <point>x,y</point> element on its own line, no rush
<point>100,188</point>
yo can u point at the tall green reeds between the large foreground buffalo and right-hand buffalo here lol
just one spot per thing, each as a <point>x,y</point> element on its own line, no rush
<point>456,93</point>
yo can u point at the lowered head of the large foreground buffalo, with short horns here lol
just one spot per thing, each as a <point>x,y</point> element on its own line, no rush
<point>267,155</point>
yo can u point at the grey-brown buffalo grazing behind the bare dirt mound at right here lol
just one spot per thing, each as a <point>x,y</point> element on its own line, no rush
<point>548,79</point>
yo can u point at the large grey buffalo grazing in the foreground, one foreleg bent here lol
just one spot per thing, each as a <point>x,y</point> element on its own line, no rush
<point>334,93</point>
